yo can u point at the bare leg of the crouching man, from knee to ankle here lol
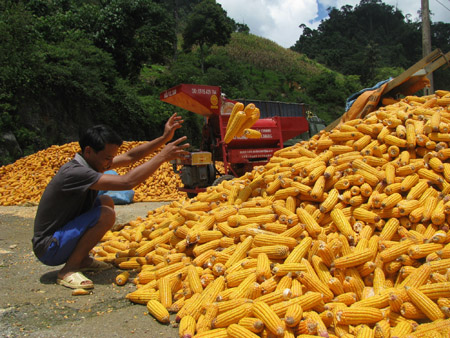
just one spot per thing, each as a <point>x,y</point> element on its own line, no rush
<point>80,256</point>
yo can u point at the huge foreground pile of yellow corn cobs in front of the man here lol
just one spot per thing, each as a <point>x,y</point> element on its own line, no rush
<point>345,235</point>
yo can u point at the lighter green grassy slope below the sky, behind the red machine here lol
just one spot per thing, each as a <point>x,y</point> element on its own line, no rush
<point>293,74</point>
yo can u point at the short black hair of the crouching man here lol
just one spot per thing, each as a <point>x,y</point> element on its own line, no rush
<point>97,137</point>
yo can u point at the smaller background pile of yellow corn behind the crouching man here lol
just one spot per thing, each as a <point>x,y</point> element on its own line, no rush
<point>24,181</point>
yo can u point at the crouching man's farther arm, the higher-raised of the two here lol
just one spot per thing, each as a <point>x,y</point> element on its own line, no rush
<point>143,150</point>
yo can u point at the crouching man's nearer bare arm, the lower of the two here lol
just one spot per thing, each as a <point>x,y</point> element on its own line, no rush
<point>139,174</point>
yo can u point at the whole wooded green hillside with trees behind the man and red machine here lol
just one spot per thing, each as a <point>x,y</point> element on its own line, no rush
<point>66,64</point>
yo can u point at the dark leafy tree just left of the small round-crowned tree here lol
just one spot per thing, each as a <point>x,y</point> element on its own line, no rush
<point>135,32</point>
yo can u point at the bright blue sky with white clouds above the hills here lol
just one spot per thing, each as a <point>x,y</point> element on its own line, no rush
<point>279,20</point>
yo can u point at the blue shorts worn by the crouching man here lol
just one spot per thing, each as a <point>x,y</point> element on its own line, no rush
<point>65,239</point>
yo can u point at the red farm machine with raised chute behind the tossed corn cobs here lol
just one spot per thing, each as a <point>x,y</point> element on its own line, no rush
<point>279,122</point>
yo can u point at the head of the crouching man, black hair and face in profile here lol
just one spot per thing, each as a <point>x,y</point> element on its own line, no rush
<point>99,146</point>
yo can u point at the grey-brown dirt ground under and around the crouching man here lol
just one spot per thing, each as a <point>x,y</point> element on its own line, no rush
<point>33,305</point>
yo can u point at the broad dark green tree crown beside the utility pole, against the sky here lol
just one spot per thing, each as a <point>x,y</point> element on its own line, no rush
<point>362,39</point>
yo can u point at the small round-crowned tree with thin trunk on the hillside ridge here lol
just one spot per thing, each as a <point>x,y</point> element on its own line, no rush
<point>207,25</point>
